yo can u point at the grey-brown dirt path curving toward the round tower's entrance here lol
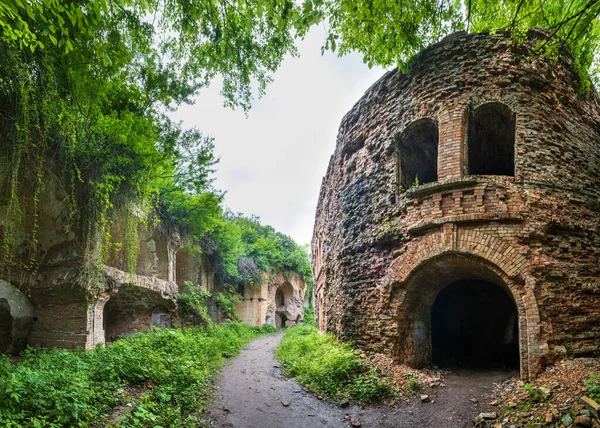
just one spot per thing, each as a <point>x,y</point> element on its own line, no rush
<point>252,393</point>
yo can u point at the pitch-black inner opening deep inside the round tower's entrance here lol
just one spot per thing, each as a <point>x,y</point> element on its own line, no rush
<point>474,323</point>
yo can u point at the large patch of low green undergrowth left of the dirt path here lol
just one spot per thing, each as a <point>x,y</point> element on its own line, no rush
<point>56,388</point>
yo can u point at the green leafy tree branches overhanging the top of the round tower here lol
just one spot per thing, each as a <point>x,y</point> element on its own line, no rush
<point>391,32</point>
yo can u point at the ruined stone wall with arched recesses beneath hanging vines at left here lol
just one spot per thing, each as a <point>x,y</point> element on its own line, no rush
<point>46,300</point>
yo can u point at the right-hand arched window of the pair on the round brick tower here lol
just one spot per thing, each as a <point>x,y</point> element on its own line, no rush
<point>491,140</point>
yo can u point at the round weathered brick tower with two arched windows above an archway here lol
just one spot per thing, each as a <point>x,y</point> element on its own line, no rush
<point>459,219</point>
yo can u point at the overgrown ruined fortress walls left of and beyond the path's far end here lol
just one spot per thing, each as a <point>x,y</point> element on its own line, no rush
<point>52,308</point>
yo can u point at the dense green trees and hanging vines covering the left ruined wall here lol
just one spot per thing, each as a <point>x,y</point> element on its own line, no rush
<point>84,91</point>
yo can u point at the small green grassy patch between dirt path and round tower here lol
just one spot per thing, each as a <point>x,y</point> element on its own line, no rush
<point>328,367</point>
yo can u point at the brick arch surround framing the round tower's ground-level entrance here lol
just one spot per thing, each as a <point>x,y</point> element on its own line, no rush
<point>453,251</point>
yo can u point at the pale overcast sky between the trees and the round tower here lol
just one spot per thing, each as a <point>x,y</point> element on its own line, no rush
<point>273,161</point>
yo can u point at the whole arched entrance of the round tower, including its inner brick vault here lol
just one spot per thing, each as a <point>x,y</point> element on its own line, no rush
<point>460,309</point>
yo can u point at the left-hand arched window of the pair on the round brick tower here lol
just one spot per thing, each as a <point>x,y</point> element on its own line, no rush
<point>418,154</point>
